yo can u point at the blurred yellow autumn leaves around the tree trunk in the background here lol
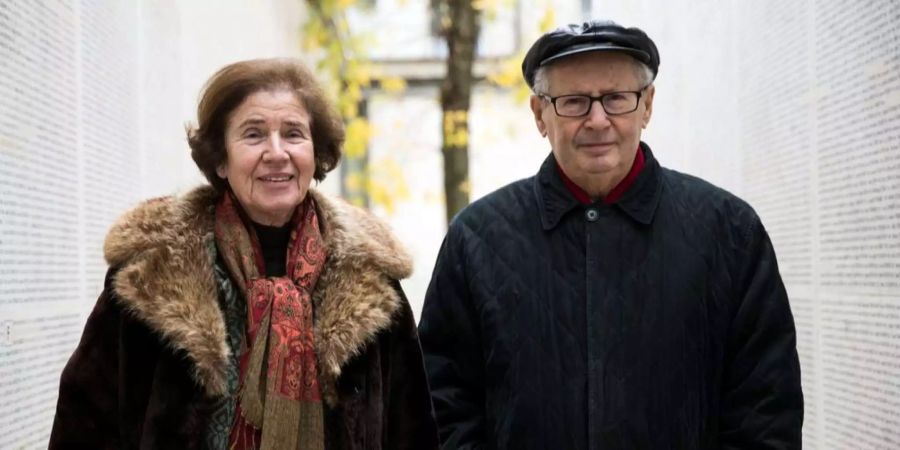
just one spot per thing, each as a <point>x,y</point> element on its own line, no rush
<point>341,62</point>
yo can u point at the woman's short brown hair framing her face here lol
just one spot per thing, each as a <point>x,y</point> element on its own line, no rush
<point>228,88</point>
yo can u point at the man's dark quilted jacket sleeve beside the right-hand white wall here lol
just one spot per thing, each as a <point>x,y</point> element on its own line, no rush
<point>762,404</point>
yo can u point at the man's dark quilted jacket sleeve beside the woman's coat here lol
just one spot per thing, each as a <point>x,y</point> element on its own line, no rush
<point>449,331</point>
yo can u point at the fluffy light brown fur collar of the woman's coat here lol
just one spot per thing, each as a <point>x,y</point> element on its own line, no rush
<point>166,279</point>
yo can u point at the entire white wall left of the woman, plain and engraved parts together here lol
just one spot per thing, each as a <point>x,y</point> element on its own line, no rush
<point>93,100</point>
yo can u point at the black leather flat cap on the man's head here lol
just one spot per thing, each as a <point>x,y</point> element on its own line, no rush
<point>596,35</point>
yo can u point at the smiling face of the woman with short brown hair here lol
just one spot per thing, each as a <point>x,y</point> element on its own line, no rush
<point>270,155</point>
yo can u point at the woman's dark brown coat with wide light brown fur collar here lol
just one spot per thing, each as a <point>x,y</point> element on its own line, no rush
<point>153,357</point>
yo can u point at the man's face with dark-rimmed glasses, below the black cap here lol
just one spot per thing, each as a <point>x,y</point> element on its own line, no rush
<point>595,150</point>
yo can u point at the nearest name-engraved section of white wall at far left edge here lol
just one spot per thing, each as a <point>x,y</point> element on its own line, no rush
<point>67,168</point>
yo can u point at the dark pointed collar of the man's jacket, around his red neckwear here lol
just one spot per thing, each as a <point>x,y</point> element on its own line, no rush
<point>639,202</point>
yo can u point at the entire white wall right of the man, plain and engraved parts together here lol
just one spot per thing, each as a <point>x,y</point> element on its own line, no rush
<point>813,120</point>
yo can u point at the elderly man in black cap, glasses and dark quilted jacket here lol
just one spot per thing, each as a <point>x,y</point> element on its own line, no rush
<point>608,302</point>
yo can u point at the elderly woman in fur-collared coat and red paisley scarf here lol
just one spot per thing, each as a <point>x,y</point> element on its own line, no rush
<point>254,313</point>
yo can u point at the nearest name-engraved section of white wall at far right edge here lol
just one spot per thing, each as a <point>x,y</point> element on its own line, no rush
<point>819,100</point>
